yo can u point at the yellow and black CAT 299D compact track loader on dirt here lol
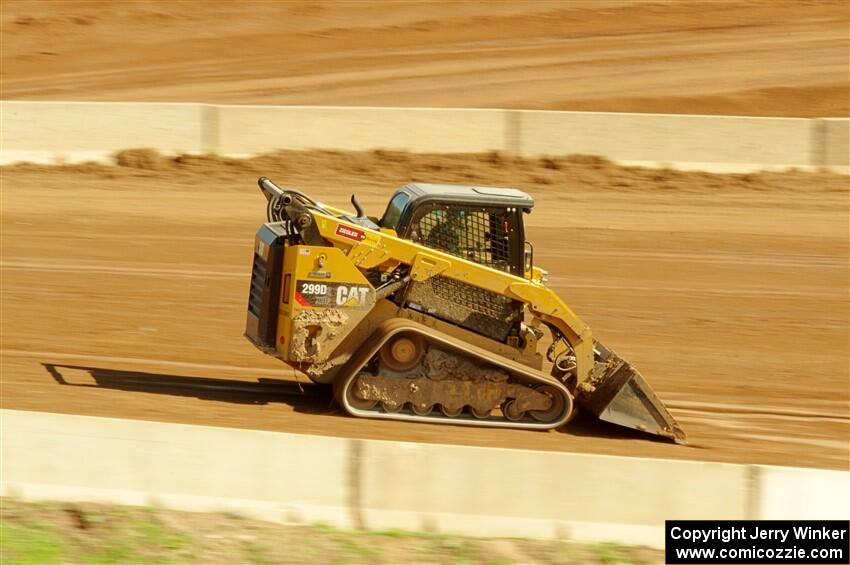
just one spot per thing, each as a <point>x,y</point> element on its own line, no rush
<point>433,313</point>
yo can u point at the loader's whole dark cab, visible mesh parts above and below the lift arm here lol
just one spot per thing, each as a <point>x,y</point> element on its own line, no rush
<point>480,224</point>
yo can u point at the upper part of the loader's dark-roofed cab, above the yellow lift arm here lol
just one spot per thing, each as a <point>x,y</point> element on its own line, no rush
<point>476,223</point>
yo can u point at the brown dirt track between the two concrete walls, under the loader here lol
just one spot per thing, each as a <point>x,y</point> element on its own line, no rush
<point>124,294</point>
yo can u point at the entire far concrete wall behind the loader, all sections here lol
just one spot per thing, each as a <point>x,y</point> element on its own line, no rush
<point>79,131</point>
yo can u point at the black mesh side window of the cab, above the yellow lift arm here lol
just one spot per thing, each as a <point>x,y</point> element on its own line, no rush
<point>476,235</point>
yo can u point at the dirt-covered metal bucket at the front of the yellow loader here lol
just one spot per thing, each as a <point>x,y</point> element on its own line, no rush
<point>619,394</point>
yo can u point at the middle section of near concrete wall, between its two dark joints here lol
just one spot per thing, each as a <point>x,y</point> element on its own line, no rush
<point>498,492</point>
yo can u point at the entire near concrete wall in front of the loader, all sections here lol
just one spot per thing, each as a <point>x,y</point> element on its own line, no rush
<point>354,483</point>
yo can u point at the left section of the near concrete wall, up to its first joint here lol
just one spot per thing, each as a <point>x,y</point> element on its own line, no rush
<point>276,477</point>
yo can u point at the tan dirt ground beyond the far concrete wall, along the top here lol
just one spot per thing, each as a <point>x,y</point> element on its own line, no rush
<point>751,57</point>
